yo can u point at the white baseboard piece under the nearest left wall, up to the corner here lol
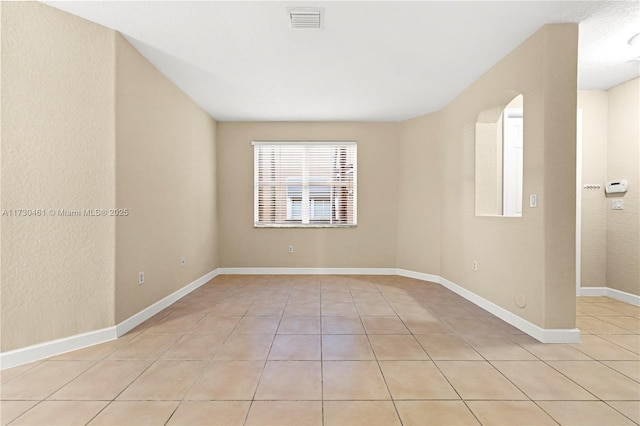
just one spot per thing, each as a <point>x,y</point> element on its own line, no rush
<point>55,347</point>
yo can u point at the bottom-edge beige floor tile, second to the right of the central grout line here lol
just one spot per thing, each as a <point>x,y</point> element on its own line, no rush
<point>435,413</point>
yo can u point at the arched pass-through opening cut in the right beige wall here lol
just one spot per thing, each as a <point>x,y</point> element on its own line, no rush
<point>499,158</point>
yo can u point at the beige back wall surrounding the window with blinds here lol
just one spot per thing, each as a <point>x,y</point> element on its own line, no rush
<point>371,244</point>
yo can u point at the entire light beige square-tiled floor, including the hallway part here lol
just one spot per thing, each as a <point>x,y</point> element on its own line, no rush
<point>337,350</point>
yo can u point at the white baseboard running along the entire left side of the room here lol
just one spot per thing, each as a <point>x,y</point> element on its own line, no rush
<point>57,347</point>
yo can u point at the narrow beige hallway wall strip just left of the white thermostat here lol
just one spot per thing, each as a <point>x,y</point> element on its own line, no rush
<point>594,106</point>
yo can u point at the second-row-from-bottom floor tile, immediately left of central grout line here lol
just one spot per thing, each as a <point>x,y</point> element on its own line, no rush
<point>290,380</point>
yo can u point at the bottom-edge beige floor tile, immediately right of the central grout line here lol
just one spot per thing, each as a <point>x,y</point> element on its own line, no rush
<point>363,413</point>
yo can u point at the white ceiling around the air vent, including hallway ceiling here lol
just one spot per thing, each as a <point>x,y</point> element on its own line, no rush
<point>373,61</point>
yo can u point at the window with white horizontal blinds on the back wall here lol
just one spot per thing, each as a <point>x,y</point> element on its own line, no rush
<point>305,184</point>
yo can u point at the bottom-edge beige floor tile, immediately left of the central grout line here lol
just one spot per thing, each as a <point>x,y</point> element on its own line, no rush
<point>285,413</point>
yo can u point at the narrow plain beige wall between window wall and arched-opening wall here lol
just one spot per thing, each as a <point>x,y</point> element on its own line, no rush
<point>419,192</point>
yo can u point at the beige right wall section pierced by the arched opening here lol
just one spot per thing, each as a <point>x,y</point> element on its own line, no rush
<point>531,257</point>
